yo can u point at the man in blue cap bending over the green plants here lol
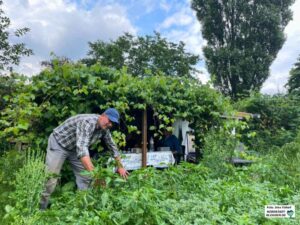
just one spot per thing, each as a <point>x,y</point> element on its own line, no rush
<point>71,141</point>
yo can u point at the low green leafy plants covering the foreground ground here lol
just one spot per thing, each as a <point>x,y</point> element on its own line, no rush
<point>186,194</point>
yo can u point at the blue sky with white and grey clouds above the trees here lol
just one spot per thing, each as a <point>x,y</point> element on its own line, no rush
<point>65,27</point>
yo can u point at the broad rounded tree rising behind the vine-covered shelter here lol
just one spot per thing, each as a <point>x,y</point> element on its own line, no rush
<point>143,55</point>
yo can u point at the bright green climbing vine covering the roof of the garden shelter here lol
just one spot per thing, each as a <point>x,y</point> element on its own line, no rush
<point>43,101</point>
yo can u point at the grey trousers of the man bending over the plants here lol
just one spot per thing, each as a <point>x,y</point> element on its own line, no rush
<point>55,158</point>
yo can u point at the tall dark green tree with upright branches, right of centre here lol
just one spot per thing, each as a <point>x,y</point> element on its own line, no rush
<point>243,38</point>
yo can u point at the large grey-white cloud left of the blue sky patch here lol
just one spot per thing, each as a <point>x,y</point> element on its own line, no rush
<point>64,28</point>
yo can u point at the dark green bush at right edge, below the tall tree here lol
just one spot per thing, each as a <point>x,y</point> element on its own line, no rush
<point>279,122</point>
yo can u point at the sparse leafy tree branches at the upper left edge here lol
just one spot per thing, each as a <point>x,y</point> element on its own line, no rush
<point>10,53</point>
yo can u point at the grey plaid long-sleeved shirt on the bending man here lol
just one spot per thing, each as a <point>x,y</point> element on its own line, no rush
<point>81,131</point>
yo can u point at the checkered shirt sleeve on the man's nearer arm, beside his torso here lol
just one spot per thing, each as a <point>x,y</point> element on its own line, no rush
<point>84,132</point>
